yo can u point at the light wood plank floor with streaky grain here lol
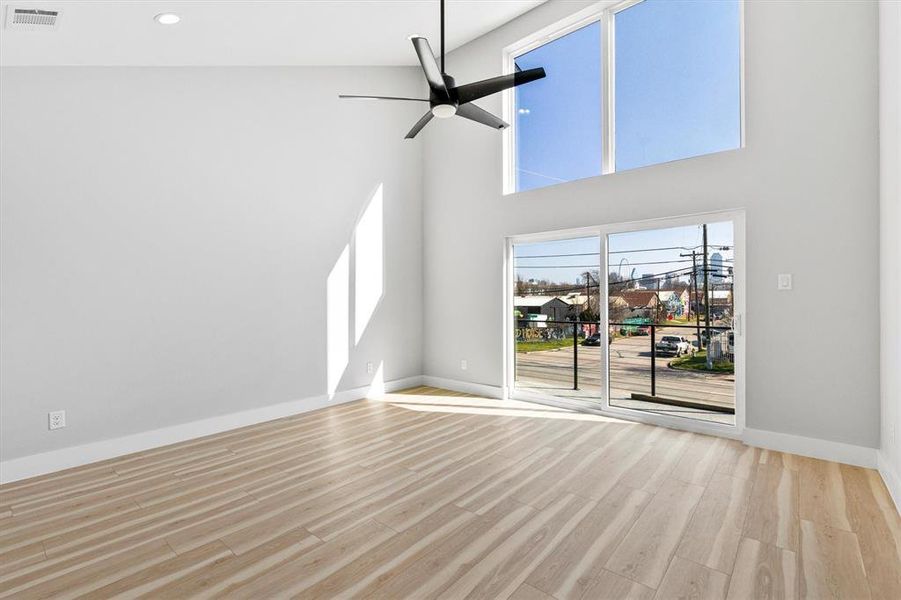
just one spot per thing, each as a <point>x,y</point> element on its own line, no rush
<point>431,494</point>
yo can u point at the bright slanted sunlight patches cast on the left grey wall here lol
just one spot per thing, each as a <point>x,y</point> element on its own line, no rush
<point>364,275</point>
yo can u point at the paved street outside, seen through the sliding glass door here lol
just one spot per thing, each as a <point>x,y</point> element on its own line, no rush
<point>630,365</point>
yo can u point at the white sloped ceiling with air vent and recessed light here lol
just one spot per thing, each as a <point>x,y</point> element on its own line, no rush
<point>247,32</point>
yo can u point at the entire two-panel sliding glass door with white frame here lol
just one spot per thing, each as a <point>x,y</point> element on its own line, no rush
<point>631,318</point>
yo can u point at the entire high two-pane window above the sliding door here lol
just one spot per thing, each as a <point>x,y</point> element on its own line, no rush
<point>629,85</point>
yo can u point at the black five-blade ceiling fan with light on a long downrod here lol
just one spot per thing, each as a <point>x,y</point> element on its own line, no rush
<point>446,98</point>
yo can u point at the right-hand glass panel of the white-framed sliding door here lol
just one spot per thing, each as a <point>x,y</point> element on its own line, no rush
<point>670,321</point>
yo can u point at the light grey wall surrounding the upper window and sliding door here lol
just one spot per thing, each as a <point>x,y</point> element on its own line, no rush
<point>808,180</point>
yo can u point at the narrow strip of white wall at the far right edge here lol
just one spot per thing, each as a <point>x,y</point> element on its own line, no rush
<point>890,236</point>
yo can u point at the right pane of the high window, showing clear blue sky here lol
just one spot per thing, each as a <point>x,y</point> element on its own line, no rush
<point>677,81</point>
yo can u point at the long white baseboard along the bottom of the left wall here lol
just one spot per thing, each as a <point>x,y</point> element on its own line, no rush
<point>76,456</point>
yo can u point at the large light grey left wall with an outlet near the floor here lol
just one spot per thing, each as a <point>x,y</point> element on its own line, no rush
<point>167,234</point>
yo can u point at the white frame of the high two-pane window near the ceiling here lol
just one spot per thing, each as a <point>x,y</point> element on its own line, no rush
<point>605,13</point>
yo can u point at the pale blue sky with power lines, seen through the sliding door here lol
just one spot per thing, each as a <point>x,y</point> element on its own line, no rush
<point>569,269</point>
